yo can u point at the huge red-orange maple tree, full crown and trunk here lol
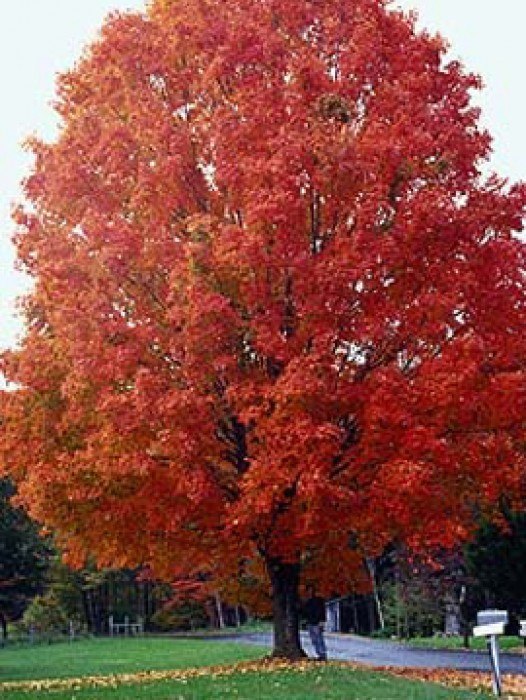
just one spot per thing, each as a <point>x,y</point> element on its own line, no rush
<point>278,310</point>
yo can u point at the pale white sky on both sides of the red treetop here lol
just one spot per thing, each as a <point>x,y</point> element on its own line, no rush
<point>40,38</point>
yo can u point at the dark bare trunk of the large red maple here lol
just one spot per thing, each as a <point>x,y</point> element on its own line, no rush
<point>284,579</point>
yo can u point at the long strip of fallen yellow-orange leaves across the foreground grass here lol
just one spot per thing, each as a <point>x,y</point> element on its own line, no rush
<point>514,685</point>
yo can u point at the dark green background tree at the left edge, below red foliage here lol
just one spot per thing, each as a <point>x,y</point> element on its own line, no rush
<point>24,558</point>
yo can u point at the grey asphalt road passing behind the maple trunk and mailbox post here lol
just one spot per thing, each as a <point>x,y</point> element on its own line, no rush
<point>381,653</point>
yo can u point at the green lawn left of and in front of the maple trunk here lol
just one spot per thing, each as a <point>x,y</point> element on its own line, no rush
<point>94,670</point>
